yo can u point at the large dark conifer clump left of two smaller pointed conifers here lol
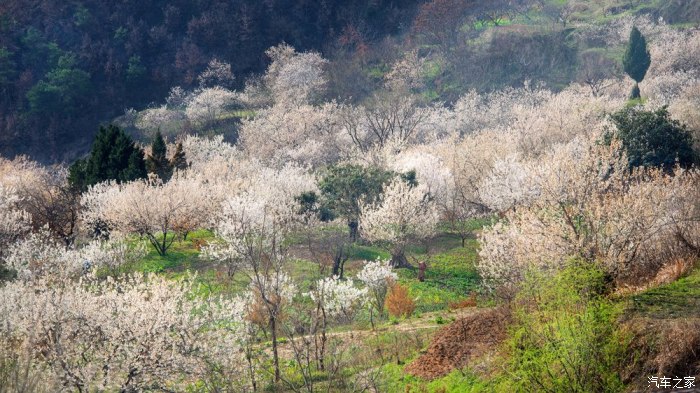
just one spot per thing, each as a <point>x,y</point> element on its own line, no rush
<point>114,156</point>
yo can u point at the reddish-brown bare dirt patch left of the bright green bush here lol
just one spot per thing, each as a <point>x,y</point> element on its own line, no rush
<point>457,344</point>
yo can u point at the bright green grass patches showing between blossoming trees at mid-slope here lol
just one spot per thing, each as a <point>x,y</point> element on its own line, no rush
<point>451,275</point>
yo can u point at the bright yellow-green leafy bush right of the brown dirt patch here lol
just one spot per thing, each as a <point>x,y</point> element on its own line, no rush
<point>566,336</point>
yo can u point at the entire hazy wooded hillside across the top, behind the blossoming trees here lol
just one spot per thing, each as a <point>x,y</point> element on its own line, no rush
<point>66,67</point>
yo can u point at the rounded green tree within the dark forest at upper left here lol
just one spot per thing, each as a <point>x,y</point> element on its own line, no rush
<point>62,90</point>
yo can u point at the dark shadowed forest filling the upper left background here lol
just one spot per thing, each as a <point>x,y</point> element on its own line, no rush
<point>66,66</point>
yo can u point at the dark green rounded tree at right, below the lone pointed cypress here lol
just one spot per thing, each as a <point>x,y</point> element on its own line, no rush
<point>652,138</point>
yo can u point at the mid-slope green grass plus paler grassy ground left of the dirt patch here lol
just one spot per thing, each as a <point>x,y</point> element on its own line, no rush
<point>451,277</point>
